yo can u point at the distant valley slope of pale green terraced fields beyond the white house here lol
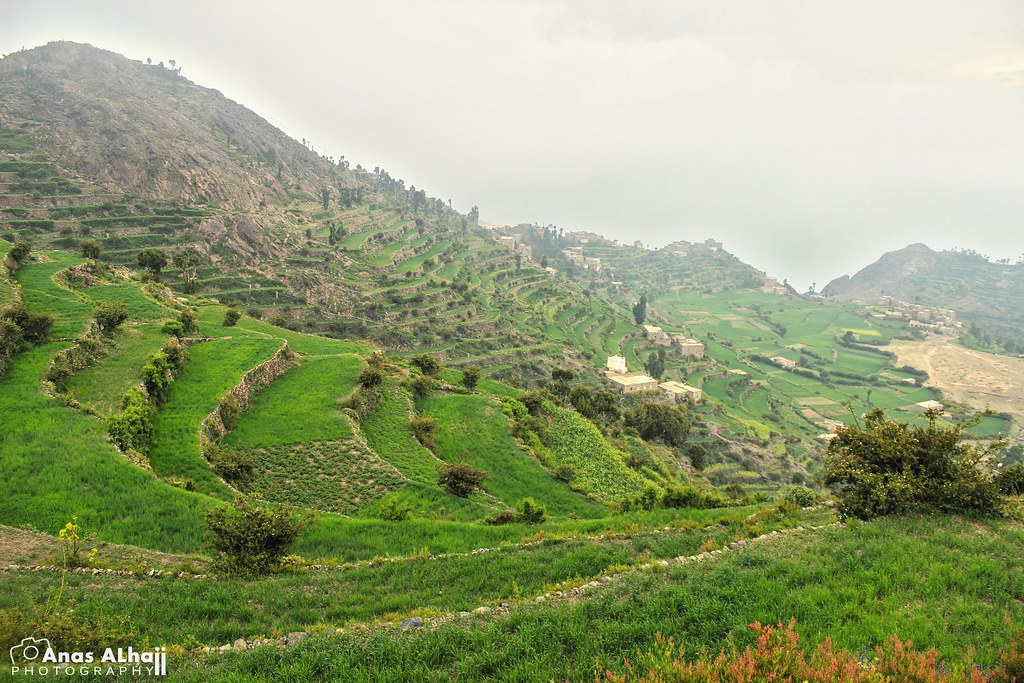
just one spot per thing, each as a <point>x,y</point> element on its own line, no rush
<point>761,420</point>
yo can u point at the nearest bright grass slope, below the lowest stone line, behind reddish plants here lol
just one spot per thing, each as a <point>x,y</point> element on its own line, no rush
<point>940,582</point>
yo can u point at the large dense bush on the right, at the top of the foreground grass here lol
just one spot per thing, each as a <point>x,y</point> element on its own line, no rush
<point>888,467</point>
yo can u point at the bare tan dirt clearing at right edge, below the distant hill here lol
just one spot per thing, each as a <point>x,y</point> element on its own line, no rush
<point>968,376</point>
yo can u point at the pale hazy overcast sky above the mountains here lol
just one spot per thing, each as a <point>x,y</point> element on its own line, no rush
<point>809,137</point>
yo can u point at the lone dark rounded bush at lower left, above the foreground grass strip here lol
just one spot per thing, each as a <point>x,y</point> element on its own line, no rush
<point>247,540</point>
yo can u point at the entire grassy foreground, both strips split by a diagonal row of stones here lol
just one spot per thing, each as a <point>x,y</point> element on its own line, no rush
<point>942,582</point>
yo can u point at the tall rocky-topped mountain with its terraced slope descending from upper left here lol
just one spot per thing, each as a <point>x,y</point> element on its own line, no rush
<point>276,229</point>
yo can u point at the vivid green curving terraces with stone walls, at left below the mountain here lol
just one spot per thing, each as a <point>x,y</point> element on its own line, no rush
<point>306,430</point>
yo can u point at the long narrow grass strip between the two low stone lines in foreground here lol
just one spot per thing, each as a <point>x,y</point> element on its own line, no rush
<point>216,612</point>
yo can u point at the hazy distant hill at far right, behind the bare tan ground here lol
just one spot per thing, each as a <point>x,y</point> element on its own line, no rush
<point>988,296</point>
